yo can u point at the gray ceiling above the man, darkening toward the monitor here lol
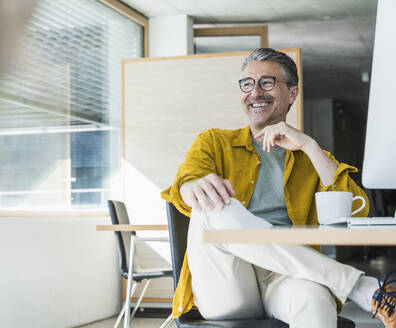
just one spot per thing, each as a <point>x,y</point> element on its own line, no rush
<point>336,37</point>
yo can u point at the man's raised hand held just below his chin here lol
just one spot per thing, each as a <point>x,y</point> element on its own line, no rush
<point>283,135</point>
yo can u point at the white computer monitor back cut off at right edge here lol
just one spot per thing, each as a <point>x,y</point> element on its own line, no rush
<point>379,163</point>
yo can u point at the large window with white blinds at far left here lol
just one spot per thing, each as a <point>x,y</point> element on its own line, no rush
<point>60,106</point>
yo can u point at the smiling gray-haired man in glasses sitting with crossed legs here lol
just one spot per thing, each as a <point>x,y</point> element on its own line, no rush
<point>265,174</point>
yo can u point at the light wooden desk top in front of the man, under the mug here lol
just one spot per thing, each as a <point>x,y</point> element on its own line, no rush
<point>310,235</point>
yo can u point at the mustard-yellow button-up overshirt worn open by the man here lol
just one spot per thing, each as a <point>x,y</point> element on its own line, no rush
<point>230,154</point>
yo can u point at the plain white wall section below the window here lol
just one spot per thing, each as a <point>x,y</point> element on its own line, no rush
<point>57,272</point>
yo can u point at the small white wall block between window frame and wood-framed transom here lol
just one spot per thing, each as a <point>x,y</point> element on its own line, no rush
<point>170,36</point>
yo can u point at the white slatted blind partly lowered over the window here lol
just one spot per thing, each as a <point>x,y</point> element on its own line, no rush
<point>68,66</point>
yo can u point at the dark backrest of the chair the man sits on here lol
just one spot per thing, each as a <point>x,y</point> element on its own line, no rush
<point>178,230</point>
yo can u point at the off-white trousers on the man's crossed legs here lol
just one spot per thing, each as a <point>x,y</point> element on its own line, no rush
<point>293,283</point>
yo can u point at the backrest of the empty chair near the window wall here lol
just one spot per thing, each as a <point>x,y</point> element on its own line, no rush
<point>119,215</point>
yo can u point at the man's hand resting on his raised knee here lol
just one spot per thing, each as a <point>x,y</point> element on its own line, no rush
<point>206,192</point>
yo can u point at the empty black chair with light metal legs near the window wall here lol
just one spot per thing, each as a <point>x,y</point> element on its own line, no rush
<point>119,215</point>
